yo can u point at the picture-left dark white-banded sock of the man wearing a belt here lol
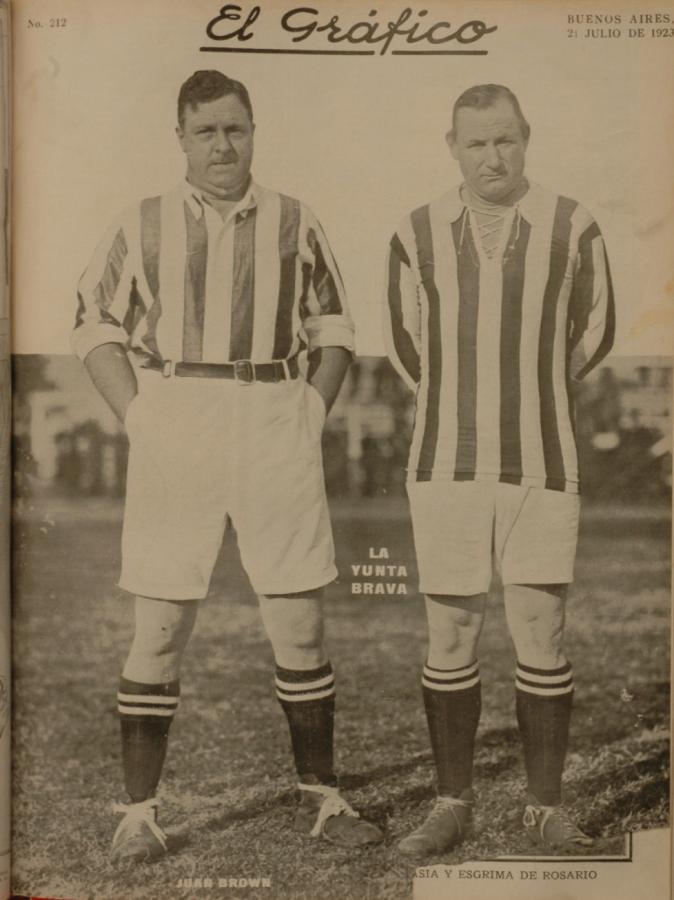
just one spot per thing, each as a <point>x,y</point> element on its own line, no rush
<point>146,712</point>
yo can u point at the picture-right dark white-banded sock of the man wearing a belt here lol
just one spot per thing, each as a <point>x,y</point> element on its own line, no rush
<point>307,697</point>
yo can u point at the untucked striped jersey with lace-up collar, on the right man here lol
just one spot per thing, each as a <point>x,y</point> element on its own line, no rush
<point>492,346</point>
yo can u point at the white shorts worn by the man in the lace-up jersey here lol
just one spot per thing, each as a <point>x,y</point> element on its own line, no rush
<point>458,526</point>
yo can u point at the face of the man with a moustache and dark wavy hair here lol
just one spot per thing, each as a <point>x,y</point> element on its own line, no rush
<point>217,139</point>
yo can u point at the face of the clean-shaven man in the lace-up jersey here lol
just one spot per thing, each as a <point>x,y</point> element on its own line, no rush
<point>490,148</point>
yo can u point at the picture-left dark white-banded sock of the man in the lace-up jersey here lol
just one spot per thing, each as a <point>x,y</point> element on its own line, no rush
<point>452,699</point>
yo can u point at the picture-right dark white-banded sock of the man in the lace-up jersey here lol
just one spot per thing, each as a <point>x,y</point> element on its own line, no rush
<point>544,699</point>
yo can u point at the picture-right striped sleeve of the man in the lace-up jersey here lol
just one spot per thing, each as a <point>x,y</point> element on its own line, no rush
<point>592,305</point>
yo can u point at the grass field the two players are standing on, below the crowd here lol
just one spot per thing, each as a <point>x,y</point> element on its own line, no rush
<point>227,794</point>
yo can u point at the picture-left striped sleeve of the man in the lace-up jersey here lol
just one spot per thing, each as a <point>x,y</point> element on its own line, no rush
<point>402,319</point>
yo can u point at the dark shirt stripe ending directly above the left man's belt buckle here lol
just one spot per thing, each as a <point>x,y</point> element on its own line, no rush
<point>243,287</point>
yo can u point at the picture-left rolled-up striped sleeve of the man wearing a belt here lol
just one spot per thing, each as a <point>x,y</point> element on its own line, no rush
<point>104,295</point>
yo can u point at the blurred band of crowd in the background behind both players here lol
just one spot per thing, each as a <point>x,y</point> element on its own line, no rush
<point>66,440</point>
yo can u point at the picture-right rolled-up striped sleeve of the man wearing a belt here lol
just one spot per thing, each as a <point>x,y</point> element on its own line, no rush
<point>323,306</point>
